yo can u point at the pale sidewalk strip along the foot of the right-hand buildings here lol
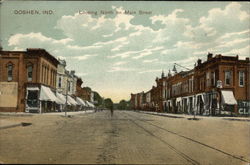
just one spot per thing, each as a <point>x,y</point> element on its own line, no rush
<point>171,115</point>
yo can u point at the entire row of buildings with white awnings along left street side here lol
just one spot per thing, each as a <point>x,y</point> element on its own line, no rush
<point>35,81</point>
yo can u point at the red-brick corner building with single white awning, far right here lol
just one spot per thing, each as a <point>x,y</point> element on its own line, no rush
<point>222,85</point>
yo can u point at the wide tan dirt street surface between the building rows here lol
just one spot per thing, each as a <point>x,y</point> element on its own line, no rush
<point>126,138</point>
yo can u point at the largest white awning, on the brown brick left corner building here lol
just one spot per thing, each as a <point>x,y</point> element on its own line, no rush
<point>47,95</point>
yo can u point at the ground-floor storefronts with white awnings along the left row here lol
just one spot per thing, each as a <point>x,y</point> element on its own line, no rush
<point>43,99</point>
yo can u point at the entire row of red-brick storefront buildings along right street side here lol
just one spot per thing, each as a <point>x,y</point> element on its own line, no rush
<point>218,86</point>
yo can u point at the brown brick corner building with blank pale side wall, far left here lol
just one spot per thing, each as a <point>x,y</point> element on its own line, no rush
<point>28,81</point>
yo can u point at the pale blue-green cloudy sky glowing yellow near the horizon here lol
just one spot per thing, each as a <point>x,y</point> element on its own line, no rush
<point>118,54</point>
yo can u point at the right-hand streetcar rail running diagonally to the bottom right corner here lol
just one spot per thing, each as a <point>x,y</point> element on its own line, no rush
<point>195,141</point>
